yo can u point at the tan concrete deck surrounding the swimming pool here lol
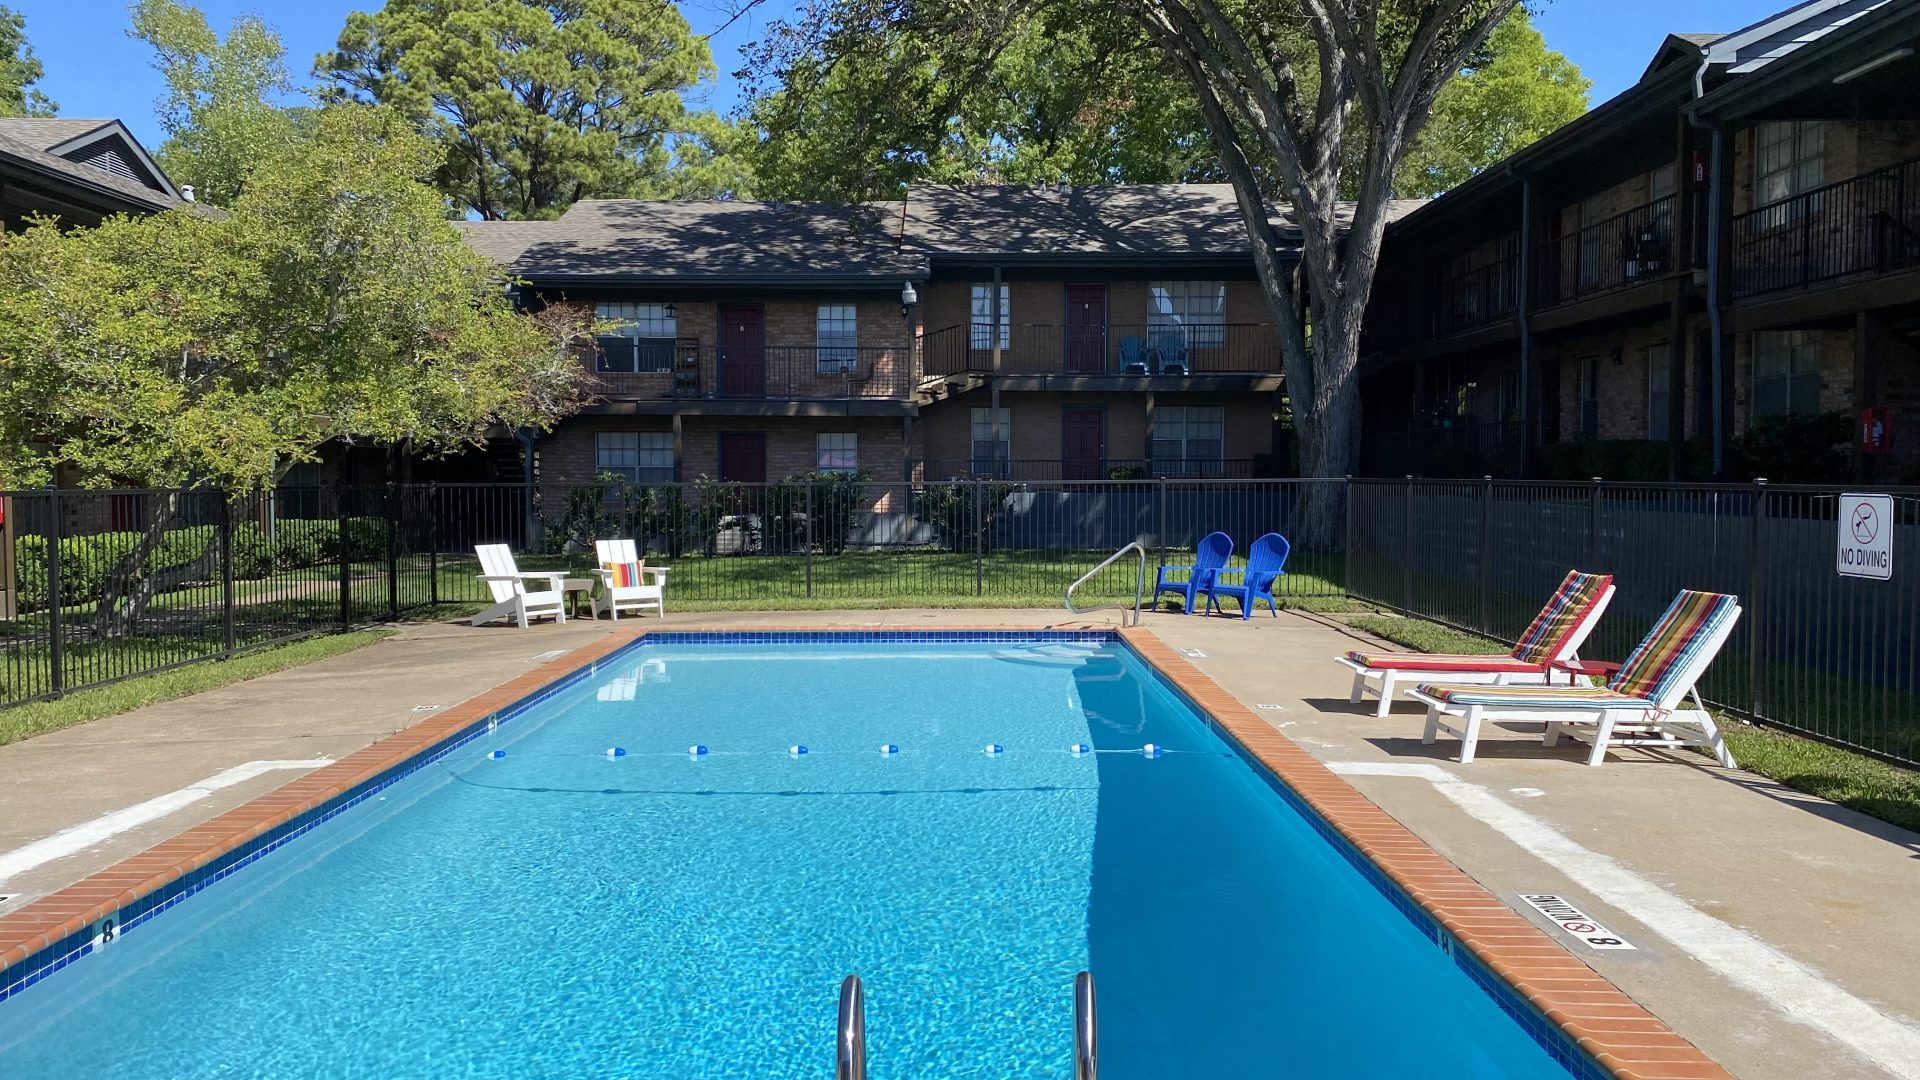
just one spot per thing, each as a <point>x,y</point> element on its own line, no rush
<point>1775,931</point>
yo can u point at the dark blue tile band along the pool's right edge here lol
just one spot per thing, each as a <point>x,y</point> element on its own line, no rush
<point>1548,1035</point>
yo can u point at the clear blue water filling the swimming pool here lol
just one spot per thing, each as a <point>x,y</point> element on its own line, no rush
<point>562,914</point>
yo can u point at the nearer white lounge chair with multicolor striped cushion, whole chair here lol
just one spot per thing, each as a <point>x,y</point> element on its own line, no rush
<point>1648,699</point>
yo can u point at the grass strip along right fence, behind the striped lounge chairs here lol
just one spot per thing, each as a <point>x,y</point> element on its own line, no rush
<point>1844,777</point>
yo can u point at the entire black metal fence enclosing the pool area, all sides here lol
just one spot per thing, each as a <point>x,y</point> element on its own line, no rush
<point>116,583</point>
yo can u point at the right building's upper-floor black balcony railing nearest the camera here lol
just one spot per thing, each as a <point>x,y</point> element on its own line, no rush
<point>1869,224</point>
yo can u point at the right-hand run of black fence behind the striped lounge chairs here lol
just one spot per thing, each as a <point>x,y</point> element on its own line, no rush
<point>1825,654</point>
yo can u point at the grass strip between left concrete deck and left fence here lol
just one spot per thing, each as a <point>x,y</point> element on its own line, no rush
<point>41,718</point>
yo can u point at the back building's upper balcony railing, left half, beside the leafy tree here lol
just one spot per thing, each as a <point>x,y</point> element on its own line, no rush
<point>765,374</point>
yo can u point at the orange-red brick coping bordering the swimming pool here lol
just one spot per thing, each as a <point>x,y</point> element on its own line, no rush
<point>1606,1023</point>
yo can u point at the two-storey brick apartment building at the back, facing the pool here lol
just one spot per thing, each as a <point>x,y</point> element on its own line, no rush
<point>1024,333</point>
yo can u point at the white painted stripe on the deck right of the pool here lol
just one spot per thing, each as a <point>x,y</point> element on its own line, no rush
<point>1785,983</point>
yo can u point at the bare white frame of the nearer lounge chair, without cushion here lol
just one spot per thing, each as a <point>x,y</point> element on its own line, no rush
<point>1669,724</point>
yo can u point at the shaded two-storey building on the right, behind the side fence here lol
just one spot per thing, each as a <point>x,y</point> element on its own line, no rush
<point>1737,237</point>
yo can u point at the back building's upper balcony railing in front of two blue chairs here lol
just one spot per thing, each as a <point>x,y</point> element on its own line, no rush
<point>1113,349</point>
